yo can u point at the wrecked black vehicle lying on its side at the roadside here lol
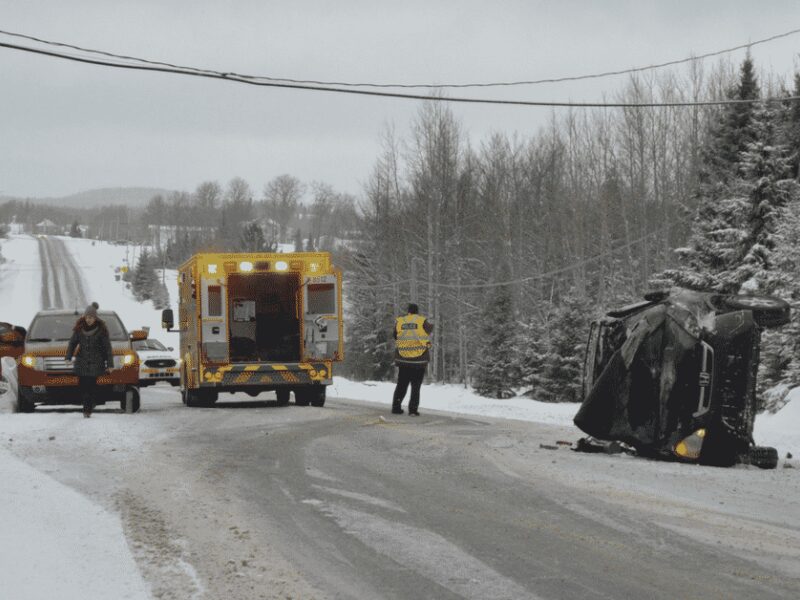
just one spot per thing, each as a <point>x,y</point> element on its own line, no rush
<point>675,376</point>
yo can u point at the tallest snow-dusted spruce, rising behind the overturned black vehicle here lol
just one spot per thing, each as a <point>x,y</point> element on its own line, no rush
<point>740,197</point>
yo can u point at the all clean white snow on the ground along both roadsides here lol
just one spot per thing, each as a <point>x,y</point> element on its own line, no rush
<point>45,522</point>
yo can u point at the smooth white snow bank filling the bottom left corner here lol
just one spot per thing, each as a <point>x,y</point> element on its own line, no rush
<point>58,544</point>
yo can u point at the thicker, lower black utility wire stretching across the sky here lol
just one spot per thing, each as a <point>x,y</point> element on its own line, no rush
<point>405,96</point>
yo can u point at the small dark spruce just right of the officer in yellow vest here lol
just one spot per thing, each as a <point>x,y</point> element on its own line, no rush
<point>496,373</point>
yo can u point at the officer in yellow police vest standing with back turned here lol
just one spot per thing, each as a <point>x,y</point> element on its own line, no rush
<point>412,334</point>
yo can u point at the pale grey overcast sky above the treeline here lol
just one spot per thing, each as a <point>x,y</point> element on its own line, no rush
<point>67,127</point>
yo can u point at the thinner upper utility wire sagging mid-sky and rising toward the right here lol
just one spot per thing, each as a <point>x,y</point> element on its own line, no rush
<point>419,85</point>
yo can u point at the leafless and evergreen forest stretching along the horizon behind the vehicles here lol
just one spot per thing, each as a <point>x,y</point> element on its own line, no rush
<point>511,245</point>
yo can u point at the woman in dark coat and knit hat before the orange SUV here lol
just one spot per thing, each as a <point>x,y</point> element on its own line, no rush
<point>90,345</point>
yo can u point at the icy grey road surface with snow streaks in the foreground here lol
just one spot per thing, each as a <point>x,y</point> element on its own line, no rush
<point>252,500</point>
